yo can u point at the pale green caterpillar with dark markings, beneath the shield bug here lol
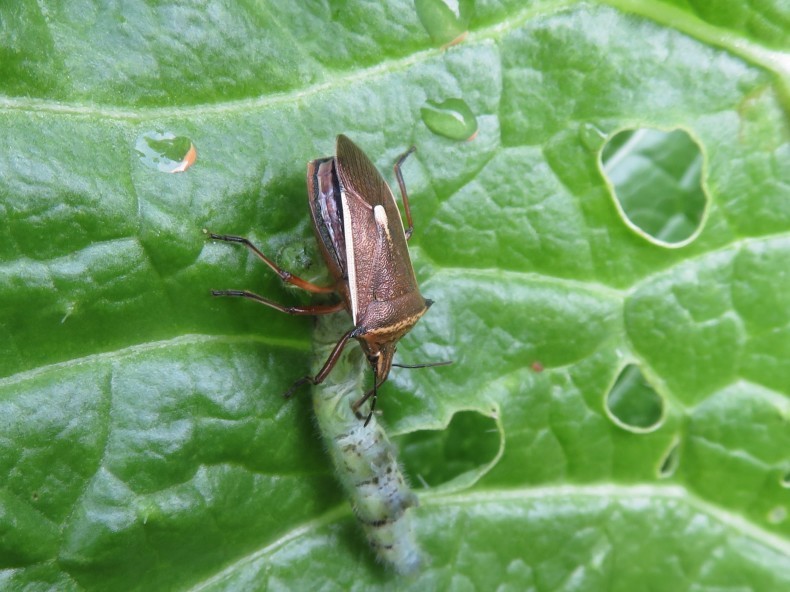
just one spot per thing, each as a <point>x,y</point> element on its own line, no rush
<point>364,459</point>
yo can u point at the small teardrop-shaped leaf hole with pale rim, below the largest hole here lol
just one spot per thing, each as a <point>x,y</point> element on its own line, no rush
<point>632,402</point>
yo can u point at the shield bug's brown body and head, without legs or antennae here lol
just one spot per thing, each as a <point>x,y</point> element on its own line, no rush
<point>362,238</point>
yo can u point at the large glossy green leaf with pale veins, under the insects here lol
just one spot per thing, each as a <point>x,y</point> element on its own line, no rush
<point>144,442</point>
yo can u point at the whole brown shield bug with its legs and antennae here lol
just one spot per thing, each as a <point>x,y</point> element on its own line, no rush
<point>363,241</point>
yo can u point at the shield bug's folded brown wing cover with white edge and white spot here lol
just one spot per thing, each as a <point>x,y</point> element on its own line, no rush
<point>382,267</point>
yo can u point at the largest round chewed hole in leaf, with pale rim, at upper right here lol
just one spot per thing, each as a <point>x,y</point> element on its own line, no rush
<point>656,177</point>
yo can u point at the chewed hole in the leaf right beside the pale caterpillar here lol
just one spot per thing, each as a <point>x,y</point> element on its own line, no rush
<point>434,457</point>
